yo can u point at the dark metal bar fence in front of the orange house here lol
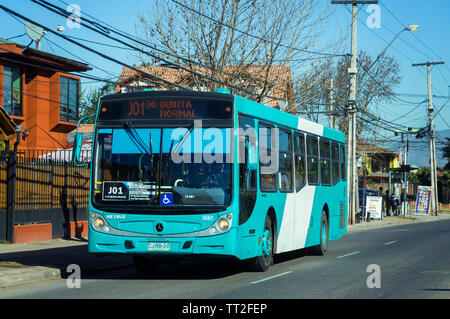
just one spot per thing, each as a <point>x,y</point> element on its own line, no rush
<point>41,187</point>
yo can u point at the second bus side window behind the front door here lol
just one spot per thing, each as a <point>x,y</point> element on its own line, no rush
<point>285,161</point>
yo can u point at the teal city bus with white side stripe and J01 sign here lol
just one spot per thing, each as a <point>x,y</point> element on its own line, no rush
<point>178,174</point>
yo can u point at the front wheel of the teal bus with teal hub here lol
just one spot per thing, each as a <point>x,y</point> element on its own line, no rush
<point>265,260</point>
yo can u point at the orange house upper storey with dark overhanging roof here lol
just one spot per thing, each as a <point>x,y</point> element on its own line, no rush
<point>39,94</point>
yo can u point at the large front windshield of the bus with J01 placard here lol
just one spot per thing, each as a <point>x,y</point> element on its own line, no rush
<point>162,167</point>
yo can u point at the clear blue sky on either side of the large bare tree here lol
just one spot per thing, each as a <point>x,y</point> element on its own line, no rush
<point>377,26</point>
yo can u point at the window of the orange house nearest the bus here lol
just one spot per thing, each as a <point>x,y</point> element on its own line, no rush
<point>68,100</point>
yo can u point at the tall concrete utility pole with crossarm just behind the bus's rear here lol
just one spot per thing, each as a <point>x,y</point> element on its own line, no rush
<point>352,178</point>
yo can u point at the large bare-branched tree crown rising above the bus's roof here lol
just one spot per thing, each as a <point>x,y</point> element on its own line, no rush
<point>209,36</point>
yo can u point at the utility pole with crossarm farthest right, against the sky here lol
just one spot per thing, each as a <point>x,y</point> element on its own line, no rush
<point>433,160</point>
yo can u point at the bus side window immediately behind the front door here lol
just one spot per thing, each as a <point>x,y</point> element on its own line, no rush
<point>267,159</point>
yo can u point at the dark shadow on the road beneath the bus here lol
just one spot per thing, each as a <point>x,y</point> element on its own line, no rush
<point>122,267</point>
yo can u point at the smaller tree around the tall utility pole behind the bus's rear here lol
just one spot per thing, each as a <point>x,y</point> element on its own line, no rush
<point>375,84</point>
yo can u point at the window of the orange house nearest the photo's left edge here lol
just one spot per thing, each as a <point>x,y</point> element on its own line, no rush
<point>12,88</point>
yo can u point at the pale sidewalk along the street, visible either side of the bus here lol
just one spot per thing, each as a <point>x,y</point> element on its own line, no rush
<point>25,263</point>
